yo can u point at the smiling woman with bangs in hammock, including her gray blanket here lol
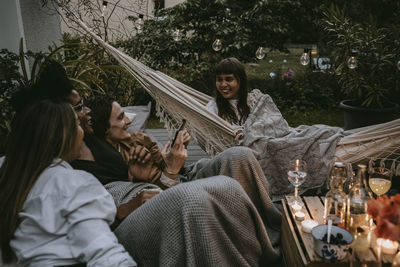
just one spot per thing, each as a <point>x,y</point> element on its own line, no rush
<point>267,132</point>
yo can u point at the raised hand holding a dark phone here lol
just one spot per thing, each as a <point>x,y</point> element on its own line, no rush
<point>176,157</point>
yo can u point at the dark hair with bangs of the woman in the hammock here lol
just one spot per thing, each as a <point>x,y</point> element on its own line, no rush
<point>233,66</point>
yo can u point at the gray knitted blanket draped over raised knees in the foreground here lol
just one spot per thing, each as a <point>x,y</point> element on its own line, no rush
<point>217,221</point>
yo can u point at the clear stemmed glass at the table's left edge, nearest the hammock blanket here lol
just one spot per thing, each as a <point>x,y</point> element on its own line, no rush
<point>296,175</point>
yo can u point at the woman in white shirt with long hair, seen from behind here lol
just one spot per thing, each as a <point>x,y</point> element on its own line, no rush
<point>51,213</point>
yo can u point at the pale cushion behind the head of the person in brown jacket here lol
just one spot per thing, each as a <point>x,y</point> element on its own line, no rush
<point>139,116</point>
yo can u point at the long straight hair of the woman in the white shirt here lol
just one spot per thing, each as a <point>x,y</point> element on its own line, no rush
<point>41,132</point>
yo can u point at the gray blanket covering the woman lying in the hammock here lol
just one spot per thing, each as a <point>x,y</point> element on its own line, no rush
<point>268,133</point>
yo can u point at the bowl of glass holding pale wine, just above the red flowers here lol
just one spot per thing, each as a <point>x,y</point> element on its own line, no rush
<point>380,180</point>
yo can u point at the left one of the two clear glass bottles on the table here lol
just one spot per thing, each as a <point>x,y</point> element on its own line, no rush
<point>335,199</point>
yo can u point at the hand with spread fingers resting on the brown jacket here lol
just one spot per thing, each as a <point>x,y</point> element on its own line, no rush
<point>140,164</point>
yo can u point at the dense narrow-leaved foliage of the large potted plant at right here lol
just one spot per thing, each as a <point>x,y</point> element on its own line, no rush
<point>376,78</point>
